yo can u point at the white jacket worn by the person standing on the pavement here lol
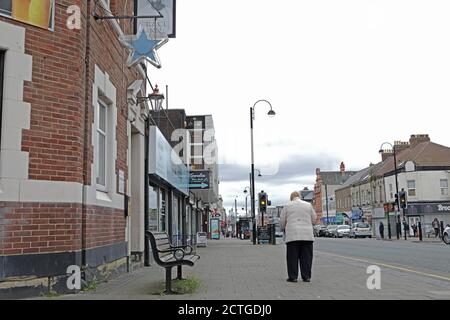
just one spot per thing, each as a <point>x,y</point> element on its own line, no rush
<point>297,218</point>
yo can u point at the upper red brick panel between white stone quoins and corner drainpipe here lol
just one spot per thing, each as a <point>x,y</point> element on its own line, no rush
<point>54,141</point>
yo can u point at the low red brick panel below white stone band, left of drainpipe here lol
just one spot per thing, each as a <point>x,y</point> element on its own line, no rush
<point>39,228</point>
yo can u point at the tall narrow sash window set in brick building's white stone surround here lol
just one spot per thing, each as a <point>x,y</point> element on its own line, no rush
<point>101,146</point>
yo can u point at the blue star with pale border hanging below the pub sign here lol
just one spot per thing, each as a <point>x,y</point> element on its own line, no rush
<point>143,48</point>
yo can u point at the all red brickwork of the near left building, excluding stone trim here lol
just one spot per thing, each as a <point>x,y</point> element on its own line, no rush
<point>57,136</point>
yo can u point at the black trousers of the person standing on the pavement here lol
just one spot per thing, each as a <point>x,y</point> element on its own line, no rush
<point>299,251</point>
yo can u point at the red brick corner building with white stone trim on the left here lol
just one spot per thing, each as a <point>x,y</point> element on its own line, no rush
<point>72,143</point>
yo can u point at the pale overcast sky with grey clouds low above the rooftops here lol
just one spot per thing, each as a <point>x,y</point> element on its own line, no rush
<point>342,76</point>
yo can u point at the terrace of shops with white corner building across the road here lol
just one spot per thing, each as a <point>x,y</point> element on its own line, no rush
<point>423,172</point>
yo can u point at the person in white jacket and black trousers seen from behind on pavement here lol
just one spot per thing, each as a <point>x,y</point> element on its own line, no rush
<point>297,218</point>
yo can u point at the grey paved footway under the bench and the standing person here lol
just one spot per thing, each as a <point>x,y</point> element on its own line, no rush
<point>233,269</point>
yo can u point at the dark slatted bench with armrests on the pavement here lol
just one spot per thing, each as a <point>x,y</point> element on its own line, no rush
<point>168,256</point>
